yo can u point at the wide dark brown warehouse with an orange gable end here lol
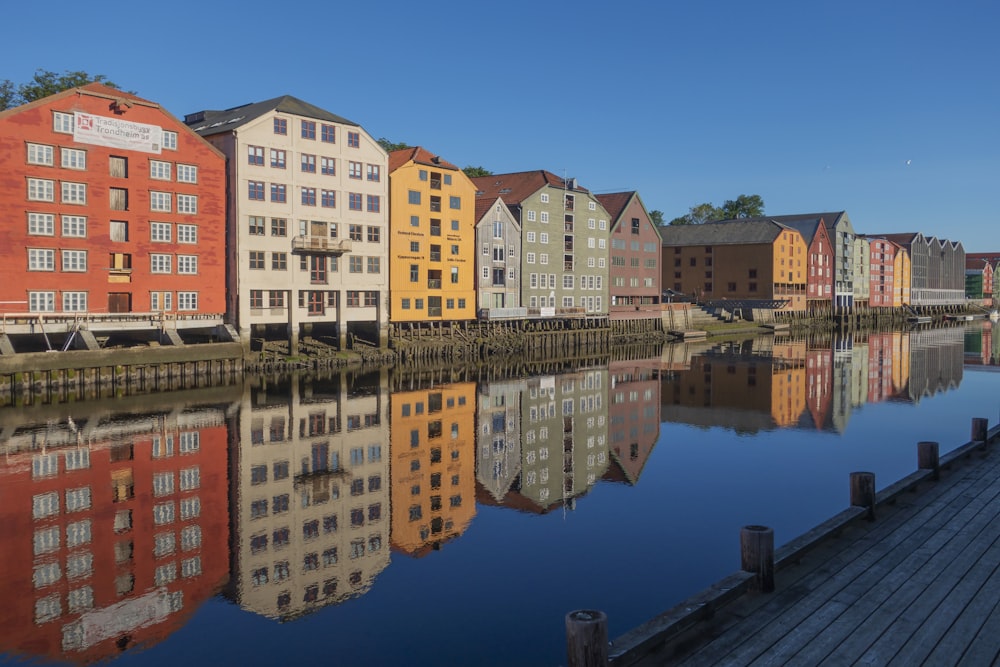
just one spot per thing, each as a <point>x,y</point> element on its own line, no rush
<point>756,260</point>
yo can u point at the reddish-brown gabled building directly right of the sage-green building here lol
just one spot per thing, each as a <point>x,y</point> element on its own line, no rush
<point>634,273</point>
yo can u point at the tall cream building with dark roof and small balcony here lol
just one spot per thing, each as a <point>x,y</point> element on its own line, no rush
<point>307,212</point>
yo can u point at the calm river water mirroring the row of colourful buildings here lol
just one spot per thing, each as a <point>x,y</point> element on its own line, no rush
<point>400,519</point>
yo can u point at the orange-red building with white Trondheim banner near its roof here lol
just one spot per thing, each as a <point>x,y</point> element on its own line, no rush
<point>111,205</point>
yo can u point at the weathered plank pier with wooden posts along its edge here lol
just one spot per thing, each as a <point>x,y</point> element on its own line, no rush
<point>910,575</point>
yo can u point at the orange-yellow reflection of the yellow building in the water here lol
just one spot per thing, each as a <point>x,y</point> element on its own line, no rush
<point>433,445</point>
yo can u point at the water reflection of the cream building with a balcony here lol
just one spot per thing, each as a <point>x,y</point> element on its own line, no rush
<point>309,492</point>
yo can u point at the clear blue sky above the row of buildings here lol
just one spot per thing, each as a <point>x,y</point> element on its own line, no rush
<point>886,110</point>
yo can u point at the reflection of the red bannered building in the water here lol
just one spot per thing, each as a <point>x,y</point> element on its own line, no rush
<point>115,526</point>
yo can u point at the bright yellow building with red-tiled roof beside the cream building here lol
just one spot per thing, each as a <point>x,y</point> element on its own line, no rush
<point>432,237</point>
